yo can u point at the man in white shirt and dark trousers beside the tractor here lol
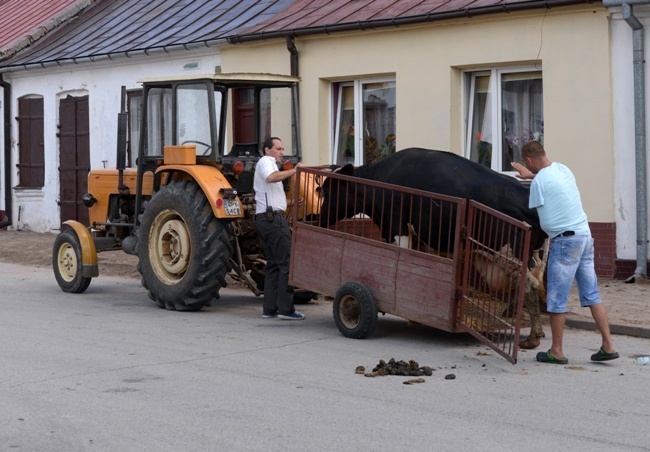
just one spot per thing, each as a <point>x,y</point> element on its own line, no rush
<point>273,231</point>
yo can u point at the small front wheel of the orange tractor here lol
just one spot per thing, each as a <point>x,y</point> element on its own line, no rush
<point>67,263</point>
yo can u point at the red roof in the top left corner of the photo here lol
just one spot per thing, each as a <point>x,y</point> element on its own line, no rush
<point>24,21</point>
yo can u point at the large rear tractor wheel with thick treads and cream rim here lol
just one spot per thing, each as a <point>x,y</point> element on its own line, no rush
<point>184,250</point>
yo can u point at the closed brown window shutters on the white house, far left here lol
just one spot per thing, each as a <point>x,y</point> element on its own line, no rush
<point>31,164</point>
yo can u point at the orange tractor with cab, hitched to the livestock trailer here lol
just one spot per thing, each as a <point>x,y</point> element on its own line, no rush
<point>186,208</point>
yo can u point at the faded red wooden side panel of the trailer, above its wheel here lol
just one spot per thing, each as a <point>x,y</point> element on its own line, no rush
<point>323,260</point>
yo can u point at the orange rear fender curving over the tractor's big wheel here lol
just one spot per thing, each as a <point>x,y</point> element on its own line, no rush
<point>211,181</point>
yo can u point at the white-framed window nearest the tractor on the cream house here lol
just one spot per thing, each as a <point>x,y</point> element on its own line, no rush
<point>371,104</point>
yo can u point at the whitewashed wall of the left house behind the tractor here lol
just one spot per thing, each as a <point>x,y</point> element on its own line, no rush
<point>37,209</point>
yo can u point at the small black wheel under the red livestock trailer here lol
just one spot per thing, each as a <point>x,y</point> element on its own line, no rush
<point>355,310</point>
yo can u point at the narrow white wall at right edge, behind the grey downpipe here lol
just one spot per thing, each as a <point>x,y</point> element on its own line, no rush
<point>624,132</point>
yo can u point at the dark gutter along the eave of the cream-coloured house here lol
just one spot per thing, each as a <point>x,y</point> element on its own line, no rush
<point>402,21</point>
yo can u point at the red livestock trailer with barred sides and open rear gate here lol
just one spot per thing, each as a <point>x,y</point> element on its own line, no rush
<point>460,266</point>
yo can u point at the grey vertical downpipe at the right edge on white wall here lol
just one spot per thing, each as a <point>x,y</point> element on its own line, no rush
<point>639,133</point>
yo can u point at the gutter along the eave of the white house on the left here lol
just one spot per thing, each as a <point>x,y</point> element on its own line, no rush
<point>113,56</point>
